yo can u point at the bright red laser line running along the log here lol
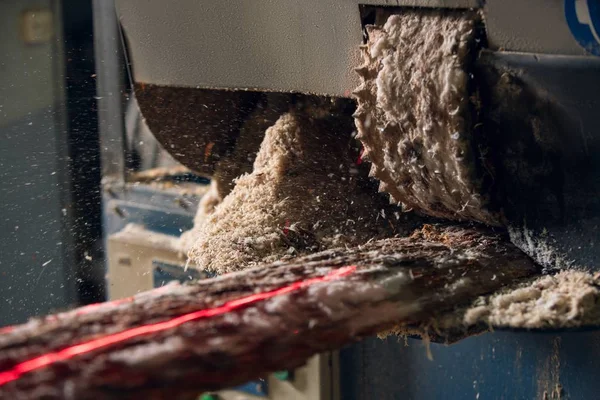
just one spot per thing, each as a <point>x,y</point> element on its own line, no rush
<point>86,347</point>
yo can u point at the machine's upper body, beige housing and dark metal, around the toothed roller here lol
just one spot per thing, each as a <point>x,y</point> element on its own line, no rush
<point>201,68</point>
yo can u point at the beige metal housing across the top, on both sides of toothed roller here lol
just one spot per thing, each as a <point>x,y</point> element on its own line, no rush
<point>307,46</point>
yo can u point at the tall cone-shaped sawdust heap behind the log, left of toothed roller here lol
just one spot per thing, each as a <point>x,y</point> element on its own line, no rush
<point>306,193</point>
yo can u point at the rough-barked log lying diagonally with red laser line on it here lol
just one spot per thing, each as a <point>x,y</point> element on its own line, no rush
<point>394,280</point>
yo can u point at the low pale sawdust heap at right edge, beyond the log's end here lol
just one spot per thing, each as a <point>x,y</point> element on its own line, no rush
<point>568,299</point>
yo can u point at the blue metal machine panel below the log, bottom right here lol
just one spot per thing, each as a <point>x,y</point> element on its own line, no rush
<point>494,366</point>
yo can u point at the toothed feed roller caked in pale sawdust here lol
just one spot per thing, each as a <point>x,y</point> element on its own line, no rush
<point>415,112</point>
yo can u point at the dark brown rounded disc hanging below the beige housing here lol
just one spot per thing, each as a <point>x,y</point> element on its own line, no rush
<point>198,127</point>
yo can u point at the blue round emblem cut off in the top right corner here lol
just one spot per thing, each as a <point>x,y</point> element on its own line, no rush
<point>583,18</point>
